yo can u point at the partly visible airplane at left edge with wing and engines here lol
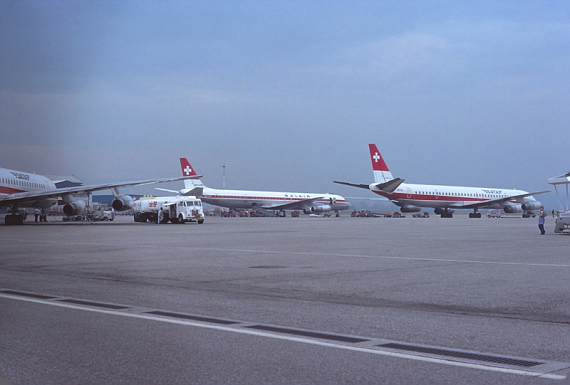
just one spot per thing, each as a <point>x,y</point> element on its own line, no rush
<point>21,189</point>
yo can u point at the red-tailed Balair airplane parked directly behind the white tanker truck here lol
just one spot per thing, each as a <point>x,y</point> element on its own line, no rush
<point>264,200</point>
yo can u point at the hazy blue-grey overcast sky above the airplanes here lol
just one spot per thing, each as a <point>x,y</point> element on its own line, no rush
<point>288,94</point>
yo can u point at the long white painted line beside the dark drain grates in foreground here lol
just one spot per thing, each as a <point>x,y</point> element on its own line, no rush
<point>290,338</point>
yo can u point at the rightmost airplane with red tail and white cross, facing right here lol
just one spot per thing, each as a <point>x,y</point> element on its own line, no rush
<point>444,199</point>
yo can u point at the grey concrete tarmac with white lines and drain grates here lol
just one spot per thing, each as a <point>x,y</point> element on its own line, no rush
<point>285,301</point>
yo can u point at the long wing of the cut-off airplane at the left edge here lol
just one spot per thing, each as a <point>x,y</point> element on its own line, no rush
<point>17,197</point>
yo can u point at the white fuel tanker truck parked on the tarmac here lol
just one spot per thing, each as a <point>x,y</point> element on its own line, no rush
<point>176,209</point>
